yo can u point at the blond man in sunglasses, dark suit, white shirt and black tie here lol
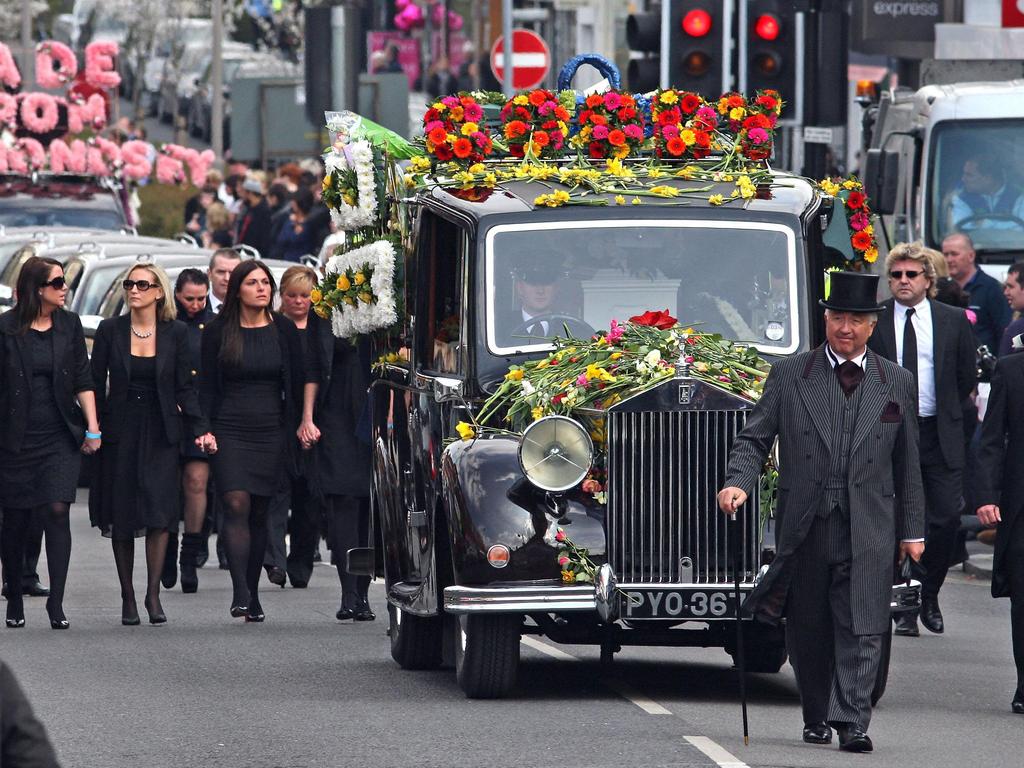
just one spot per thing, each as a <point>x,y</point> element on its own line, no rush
<point>935,344</point>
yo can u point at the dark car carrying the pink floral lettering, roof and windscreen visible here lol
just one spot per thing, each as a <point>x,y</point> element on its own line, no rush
<point>46,200</point>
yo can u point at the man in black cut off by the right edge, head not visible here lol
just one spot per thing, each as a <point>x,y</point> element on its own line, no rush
<point>1001,498</point>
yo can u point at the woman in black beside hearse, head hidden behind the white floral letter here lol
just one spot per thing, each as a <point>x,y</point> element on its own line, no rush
<point>333,407</point>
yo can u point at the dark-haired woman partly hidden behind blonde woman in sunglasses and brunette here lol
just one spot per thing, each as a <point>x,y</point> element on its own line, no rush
<point>191,293</point>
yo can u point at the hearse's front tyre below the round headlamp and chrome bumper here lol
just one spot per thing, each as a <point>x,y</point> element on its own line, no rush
<point>487,654</point>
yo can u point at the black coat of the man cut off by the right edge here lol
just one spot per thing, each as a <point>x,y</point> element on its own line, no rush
<point>1001,460</point>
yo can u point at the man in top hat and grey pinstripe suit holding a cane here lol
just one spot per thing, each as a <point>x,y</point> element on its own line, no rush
<point>849,489</point>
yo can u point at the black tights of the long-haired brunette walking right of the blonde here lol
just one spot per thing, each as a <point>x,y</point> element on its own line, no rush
<point>245,541</point>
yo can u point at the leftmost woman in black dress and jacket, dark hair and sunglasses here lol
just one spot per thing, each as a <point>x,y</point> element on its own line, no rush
<point>45,367</point>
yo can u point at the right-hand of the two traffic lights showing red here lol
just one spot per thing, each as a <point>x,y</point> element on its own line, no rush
<point>769,51</point>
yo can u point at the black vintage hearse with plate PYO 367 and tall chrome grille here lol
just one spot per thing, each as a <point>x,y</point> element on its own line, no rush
<point>466,540</point>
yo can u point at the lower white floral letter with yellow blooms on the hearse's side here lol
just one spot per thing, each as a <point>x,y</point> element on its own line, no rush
<point>380,311</point>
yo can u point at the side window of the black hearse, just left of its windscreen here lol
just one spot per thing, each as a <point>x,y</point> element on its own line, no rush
<point>443,248</point>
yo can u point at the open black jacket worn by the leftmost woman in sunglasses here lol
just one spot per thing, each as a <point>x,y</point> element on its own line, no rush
<point>71,376</point>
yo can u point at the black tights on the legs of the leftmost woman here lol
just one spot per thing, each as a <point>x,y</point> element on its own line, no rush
<point>13,542</point>
